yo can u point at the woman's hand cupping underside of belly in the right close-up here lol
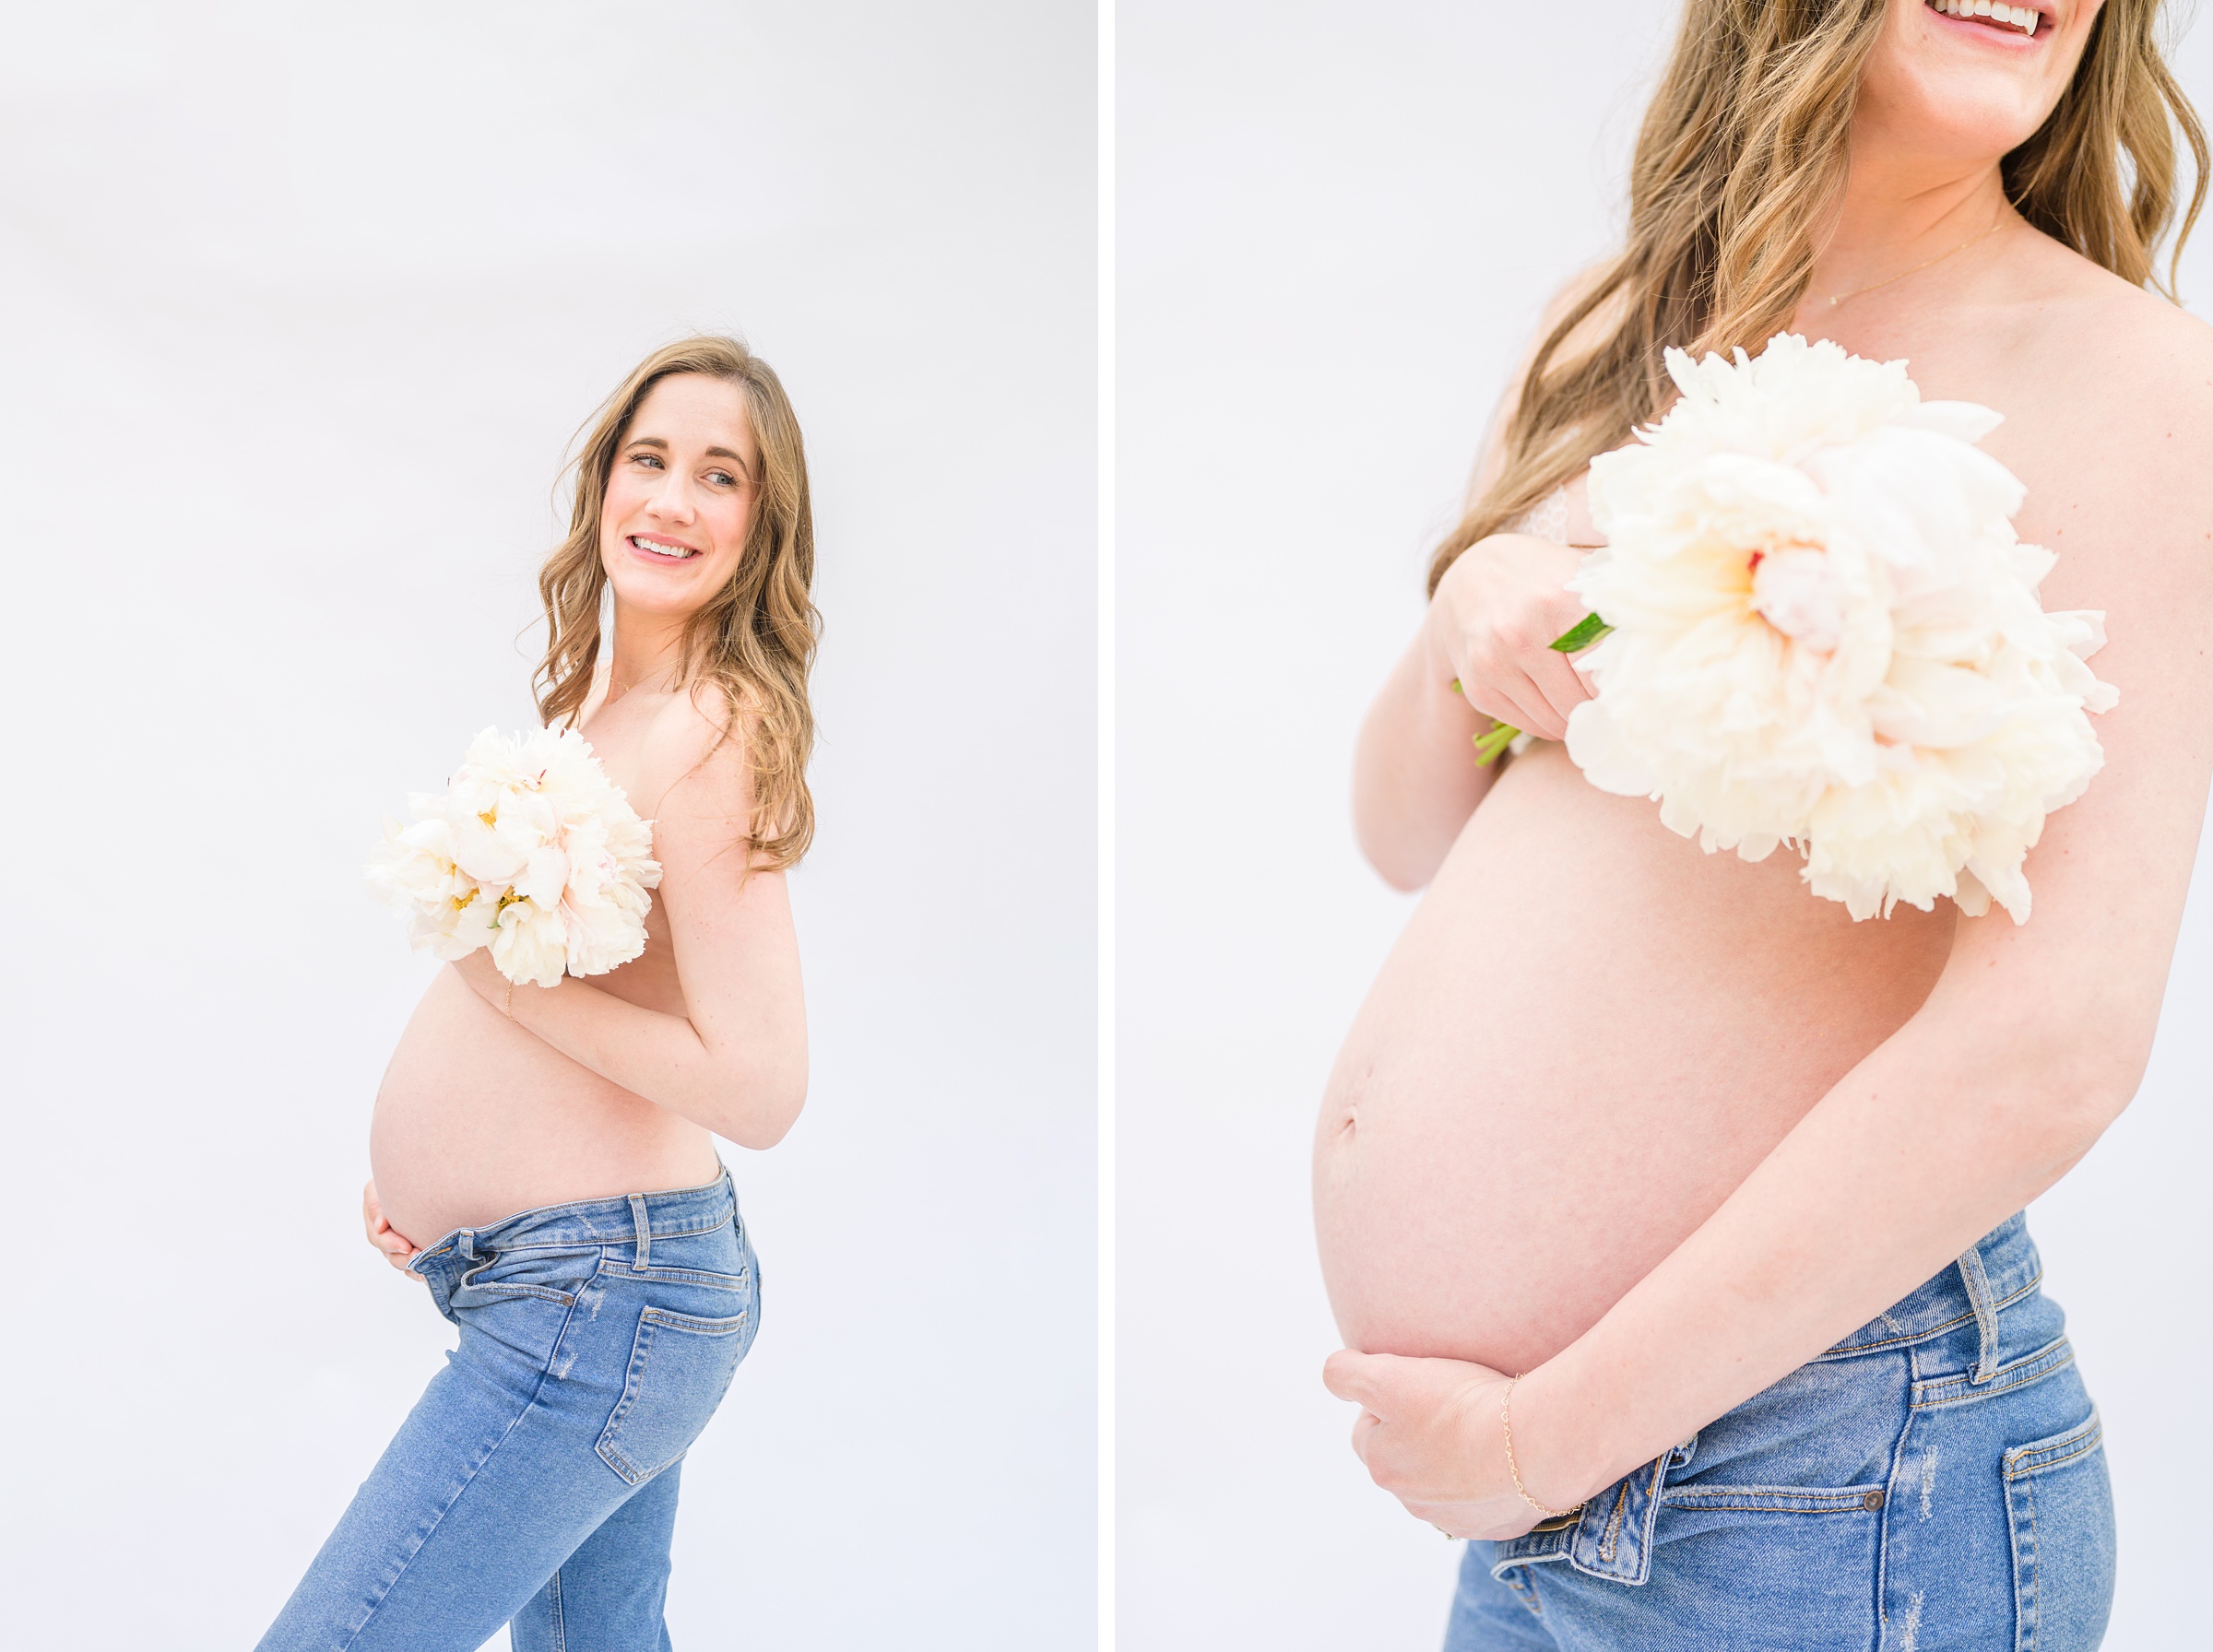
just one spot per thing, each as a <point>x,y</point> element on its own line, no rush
<point>1431,1434</point>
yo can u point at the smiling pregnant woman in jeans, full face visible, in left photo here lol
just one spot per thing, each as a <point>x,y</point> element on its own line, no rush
<point>543,1156</point>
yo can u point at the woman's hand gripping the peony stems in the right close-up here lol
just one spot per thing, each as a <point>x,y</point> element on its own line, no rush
<point>1493,625</point>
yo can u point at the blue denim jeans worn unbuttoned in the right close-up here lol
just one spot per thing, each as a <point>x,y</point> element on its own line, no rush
<point>1935,1483</point>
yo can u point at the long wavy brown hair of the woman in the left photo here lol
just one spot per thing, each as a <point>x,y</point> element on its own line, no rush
<point>754,642</point>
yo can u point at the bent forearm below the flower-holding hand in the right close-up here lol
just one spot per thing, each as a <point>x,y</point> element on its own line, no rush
<point>1415,775</point>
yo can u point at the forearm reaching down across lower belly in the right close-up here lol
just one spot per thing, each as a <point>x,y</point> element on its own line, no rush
<point>1898,1171</point>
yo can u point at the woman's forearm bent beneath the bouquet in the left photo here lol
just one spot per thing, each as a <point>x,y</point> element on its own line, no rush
<point>745,1087</point>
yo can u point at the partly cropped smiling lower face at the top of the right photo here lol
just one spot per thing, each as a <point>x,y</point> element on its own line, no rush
<point>1962,87</point>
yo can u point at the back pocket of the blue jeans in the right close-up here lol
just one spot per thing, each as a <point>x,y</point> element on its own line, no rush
<point>2059,1509</point>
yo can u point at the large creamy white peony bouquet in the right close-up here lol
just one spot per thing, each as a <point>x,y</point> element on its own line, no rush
<point>1825,634</point>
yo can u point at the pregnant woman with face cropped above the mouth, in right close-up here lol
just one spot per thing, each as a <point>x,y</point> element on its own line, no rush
<point>1672,1217</point>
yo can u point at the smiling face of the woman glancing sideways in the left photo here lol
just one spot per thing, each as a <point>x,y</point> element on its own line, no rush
<point>680,496</point>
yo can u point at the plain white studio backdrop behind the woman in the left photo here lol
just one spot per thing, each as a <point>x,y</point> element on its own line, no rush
<point>300,311</point>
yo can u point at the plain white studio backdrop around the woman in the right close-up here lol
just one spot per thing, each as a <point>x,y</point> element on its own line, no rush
<point>1338,224</point>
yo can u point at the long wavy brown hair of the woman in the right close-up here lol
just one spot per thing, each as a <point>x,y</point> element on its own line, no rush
<point>1738,167</point>
